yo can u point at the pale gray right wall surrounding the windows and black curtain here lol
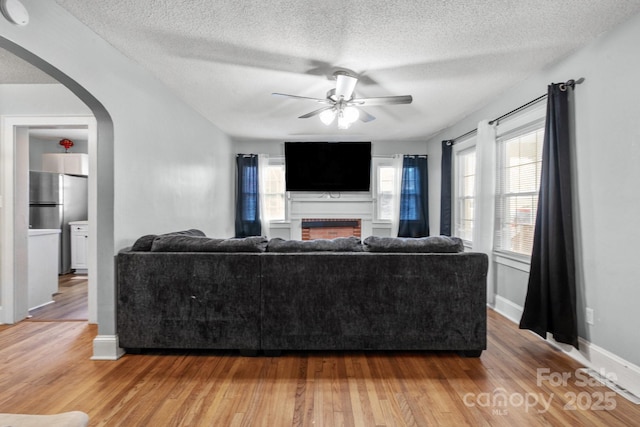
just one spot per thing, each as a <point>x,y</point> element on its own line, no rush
<point>607,154</point>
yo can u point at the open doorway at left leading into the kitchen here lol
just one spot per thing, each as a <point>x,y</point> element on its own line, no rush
<point>60,152</point>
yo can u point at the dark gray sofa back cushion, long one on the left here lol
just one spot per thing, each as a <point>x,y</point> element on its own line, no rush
<point>187,243</point>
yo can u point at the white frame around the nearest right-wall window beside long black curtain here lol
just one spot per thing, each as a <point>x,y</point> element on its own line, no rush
<point>529,120</point>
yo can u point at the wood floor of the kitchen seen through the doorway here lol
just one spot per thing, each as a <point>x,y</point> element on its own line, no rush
<point>70,303</point>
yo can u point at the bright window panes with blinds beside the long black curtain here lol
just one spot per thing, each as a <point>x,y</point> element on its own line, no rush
<point>518,182</point>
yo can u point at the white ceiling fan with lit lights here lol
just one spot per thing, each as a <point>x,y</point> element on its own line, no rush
<point>343,104</point>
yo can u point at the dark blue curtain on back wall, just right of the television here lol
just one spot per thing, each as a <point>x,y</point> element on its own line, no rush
<point>414,203</point>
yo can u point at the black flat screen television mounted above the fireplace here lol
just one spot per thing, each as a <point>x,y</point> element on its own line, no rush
<point>327,166</point>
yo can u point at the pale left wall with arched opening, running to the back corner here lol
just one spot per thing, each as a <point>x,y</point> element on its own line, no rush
<point>160,165</point>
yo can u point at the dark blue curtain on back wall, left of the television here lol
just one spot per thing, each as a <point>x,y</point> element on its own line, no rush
<point>247,196</point>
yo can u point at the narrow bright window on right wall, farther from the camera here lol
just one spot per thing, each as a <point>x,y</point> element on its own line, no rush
<point>465,168</point>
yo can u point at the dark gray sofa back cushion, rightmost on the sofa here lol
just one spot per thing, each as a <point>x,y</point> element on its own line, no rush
<point>431,244</point>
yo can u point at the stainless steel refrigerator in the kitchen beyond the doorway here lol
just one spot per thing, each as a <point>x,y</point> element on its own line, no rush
<point>55,200</point>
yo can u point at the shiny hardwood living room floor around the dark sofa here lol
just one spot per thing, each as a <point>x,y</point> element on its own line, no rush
<point>45,367</point>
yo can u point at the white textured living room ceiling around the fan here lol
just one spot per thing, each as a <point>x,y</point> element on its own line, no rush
<point>225,57</point>
